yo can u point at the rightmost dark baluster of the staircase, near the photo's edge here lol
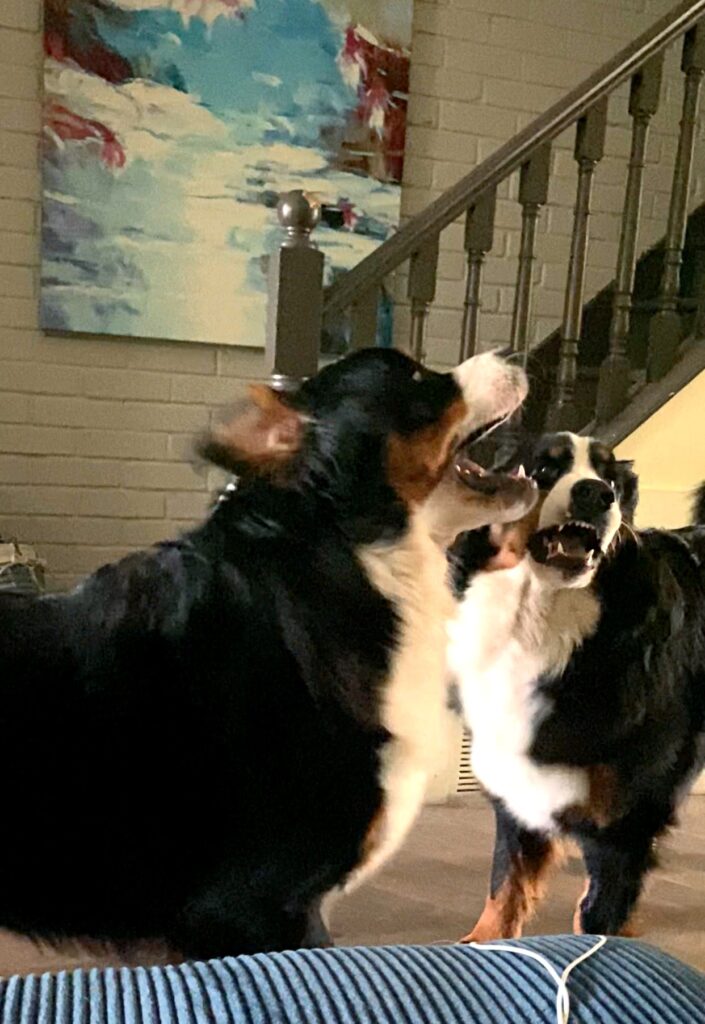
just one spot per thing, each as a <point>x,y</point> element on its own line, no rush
<point>666,326</point>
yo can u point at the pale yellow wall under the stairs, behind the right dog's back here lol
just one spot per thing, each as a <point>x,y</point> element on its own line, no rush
<point>670,457</point>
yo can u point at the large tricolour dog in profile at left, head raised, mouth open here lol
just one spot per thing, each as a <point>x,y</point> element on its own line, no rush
<point>204,740</point>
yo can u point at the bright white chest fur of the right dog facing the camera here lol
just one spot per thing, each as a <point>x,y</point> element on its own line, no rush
<point>510,631</point>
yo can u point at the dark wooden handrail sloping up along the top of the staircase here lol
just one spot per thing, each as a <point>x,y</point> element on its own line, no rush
<point>427,226</point>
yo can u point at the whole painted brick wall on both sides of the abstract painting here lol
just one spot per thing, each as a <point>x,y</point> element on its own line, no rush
<point>96,435</point>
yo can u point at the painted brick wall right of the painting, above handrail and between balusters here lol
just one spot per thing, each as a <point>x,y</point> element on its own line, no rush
<point>482,70</point>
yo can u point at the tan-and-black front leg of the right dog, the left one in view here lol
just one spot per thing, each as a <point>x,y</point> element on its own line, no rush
<point>519,867</point>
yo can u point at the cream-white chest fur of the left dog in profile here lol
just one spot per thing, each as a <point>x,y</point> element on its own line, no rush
<point>413,575</point>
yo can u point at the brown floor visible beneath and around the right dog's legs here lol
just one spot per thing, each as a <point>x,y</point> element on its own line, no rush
<point>435,889</point>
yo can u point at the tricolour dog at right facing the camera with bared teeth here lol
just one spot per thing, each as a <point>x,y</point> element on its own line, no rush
<point>582,667</point>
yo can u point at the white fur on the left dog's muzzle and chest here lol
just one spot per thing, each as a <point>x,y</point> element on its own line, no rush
<point>412,573</point>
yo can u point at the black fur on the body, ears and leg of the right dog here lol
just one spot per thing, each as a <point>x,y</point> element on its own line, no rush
<point>630,706</point>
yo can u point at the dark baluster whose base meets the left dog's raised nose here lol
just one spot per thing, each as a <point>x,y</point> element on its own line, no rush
<point>533,193</point>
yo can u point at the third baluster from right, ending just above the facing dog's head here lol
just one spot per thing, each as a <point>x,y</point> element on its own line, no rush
<point>590,147</point>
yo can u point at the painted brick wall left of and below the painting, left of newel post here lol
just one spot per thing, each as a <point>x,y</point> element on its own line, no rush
<point>96,434</point>
